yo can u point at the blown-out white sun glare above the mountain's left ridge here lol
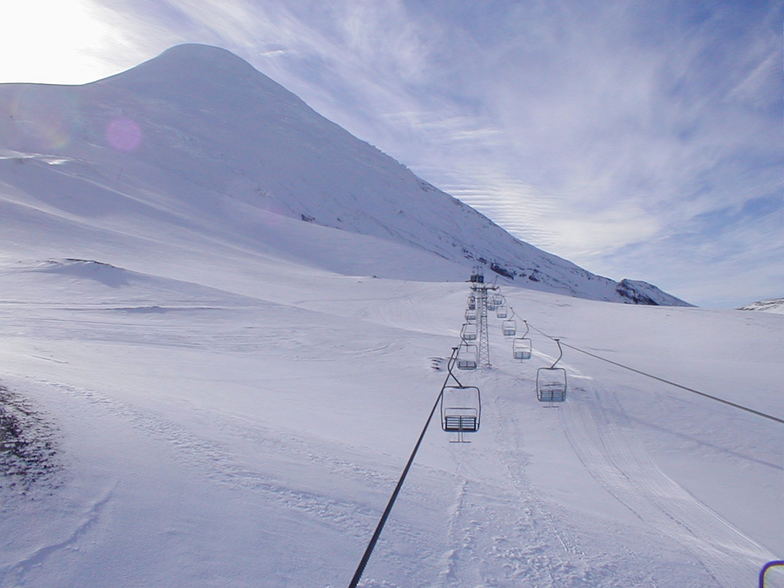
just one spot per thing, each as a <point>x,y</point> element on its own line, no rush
<point>52,41</point>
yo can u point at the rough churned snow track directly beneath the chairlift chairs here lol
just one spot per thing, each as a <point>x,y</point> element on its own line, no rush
<point>500,534</point>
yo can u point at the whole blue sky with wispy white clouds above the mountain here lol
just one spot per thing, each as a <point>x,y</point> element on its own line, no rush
<point>639,139</point>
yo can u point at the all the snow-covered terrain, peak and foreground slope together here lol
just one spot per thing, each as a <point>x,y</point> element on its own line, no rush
<point>201,385</point>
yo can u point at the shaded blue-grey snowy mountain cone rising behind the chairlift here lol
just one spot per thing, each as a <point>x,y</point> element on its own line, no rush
<point>197,140</point>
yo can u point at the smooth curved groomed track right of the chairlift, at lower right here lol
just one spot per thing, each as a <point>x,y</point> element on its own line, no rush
<point>596,427</point>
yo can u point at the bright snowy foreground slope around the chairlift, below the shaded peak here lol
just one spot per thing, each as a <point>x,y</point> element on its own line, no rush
<point>244,425</point>
